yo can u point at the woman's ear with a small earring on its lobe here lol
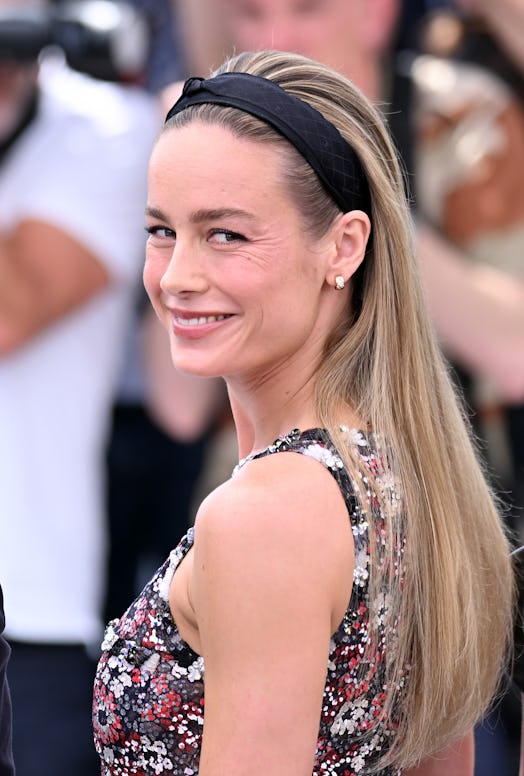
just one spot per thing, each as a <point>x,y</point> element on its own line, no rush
<point>351,234</point>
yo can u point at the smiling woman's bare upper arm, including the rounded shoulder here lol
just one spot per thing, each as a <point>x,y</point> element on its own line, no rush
<point>265,571</point>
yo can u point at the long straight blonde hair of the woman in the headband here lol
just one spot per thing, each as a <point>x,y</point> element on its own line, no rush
<point>452,603</point>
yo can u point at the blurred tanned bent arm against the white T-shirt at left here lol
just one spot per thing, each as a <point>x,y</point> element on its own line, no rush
<point>44,275</point>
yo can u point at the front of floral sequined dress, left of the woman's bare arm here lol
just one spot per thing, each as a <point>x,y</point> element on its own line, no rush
<point>148,708</point>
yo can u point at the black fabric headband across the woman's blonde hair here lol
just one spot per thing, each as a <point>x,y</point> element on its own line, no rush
<point>316,138</point>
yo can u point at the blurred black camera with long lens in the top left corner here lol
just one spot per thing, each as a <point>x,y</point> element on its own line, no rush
<point>108,39</point>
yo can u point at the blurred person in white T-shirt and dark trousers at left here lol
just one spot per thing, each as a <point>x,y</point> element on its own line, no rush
<point>73,155</point>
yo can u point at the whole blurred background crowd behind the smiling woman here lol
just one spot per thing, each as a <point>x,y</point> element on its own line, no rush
<point>105,450</point>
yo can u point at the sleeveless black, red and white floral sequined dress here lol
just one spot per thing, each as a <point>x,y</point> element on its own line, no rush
<point>148,708</point>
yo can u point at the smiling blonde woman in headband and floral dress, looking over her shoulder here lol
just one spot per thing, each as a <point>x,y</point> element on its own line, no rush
<point>346,606</point>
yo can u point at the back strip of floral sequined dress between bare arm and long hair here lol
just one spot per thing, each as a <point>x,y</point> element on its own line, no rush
<point>354,730</point>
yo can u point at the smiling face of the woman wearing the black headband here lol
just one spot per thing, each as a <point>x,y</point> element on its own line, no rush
<point>238,282</point>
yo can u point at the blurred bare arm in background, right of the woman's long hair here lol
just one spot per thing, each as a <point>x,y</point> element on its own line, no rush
<point>478,313</point>
